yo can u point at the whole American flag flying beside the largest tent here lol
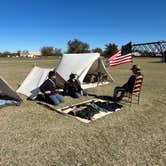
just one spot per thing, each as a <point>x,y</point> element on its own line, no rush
<point>122,56</point>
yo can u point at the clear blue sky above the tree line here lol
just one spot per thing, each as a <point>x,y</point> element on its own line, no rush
<point>31,24</point>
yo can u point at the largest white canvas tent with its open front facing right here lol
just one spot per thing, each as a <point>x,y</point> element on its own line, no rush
<point>80,64</point>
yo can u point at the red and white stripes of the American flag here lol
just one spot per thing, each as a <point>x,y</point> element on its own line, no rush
<point>118,59</point>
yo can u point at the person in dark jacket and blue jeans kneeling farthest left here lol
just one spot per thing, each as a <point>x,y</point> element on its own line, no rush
<point>49,89</point>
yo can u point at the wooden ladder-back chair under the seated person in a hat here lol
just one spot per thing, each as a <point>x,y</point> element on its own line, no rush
<point>136,89</point>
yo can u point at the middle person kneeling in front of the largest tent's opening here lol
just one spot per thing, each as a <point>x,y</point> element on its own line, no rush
<point>73,87</point>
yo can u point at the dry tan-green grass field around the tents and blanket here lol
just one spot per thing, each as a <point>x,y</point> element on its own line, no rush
<point>135,136</point>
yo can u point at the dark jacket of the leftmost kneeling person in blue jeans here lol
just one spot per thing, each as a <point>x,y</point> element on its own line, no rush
<point>48,85</point>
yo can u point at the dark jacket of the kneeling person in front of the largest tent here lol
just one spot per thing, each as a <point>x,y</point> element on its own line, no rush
<point>71,87</point>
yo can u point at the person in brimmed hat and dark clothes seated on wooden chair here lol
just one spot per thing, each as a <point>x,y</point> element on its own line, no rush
<point>127,87</point>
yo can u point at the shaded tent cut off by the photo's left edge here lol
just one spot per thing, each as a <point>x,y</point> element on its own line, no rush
<point>7,90</point>
